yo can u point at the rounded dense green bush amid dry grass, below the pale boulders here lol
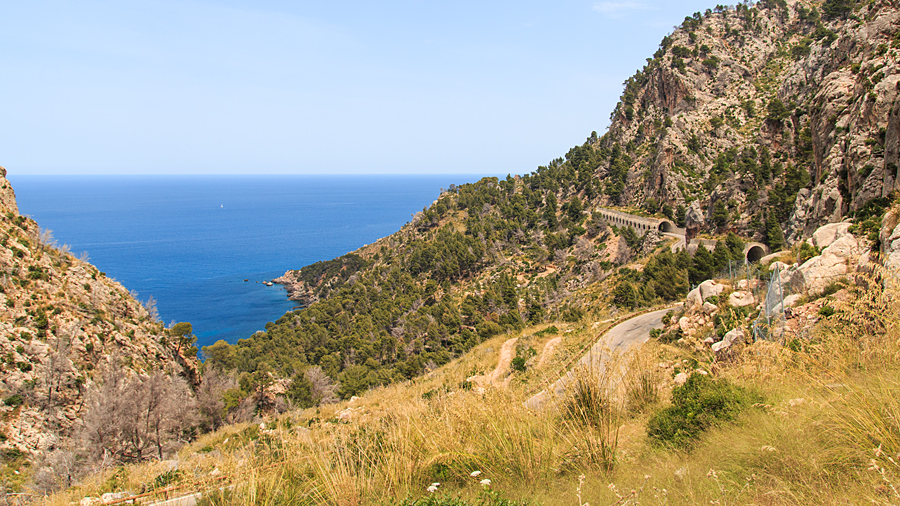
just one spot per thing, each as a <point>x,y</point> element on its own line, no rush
<point>699,404</point>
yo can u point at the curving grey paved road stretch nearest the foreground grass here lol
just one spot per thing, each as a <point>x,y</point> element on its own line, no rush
<point>618,339</point>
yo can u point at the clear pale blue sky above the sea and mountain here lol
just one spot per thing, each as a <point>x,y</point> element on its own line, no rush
<point>229,86</point>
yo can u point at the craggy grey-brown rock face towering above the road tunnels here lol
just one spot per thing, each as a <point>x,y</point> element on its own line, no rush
<point>761,109</point>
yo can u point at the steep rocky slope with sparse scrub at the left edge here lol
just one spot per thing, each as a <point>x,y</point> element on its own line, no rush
<point>62,323</point>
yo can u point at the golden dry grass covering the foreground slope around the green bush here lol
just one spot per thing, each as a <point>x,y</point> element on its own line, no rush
<point>827,433</point>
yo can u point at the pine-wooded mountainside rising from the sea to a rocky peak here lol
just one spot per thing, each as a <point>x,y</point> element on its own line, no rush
<point>761,121</point>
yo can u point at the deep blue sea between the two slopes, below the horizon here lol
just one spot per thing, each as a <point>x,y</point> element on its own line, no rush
<point>191,241</point>
